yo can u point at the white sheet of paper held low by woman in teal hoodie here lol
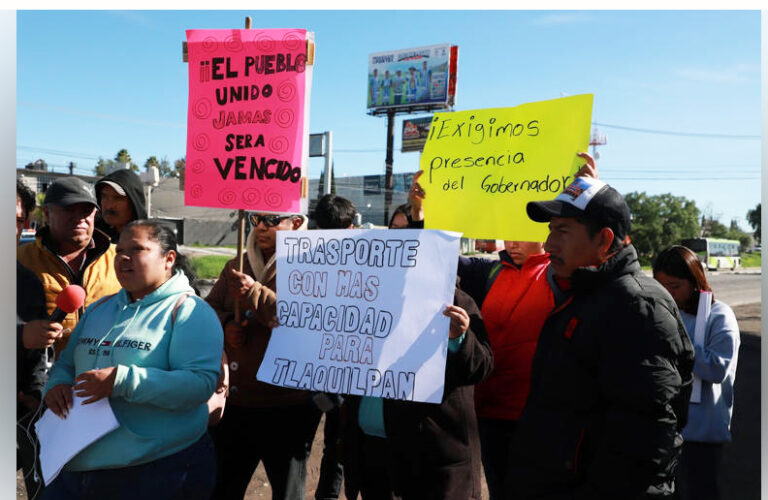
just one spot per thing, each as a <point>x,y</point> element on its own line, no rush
<point>62,439</point>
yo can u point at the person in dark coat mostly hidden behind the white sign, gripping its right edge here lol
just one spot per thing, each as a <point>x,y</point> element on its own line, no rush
<point>406,450</point>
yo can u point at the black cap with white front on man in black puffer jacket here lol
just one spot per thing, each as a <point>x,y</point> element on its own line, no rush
<point>589,198</point>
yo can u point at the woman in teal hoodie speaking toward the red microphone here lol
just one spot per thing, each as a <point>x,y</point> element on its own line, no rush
<point>154,350</point>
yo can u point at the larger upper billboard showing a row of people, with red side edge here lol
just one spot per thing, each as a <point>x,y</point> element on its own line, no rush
<point>421,76</point>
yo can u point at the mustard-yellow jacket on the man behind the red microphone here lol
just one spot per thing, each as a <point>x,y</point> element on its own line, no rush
<point>98,278</point>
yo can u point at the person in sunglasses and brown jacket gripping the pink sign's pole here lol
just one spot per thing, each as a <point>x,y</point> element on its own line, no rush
<point>262,422</point>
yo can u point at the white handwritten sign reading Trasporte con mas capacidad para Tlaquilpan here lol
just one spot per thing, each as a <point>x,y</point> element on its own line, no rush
<point>360,312</point>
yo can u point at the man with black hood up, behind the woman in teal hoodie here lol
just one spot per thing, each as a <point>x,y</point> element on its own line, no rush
<point>121,198</point>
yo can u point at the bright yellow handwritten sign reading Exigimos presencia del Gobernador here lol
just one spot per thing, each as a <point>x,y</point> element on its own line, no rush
<point>481,167</point>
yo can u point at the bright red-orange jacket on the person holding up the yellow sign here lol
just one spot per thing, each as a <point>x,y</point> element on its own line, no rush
<point>514,311</point>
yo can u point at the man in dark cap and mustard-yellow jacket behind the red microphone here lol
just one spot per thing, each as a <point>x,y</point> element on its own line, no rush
<point>68,250</point>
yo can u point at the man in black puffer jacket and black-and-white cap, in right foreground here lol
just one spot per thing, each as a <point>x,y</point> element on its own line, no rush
<point>612,372</point>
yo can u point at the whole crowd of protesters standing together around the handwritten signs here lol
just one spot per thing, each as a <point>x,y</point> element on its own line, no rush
<point>568,375</point>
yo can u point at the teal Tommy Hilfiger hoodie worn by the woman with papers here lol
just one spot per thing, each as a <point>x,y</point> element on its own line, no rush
<point>166,371</point>
